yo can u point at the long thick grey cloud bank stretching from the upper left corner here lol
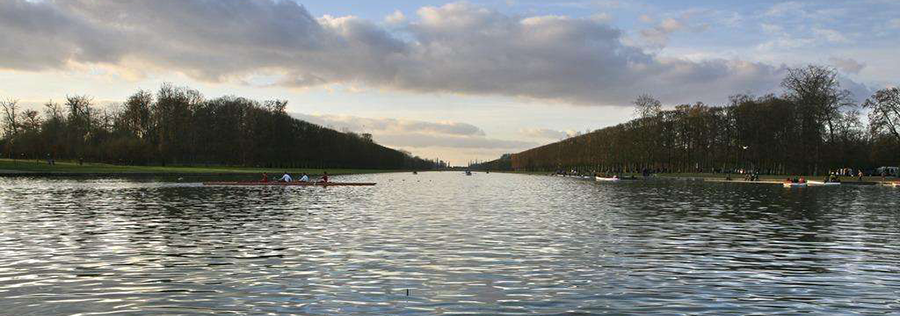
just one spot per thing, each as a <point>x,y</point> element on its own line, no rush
<point>457,48</point>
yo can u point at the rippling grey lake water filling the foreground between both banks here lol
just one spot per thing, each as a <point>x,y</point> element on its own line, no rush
<point>489,244</point>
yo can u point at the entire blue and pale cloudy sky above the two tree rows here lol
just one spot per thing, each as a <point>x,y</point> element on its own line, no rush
<point>459,81</point>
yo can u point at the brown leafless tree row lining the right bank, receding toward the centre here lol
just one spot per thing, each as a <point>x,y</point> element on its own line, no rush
<point>812,128</point>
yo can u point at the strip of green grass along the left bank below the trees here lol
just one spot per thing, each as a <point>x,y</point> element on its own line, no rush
<point>31,166</point>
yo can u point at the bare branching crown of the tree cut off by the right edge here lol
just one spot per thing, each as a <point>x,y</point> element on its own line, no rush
<point>885,112</point>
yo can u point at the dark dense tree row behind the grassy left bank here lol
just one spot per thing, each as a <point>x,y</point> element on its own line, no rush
<point>178,126</point>
